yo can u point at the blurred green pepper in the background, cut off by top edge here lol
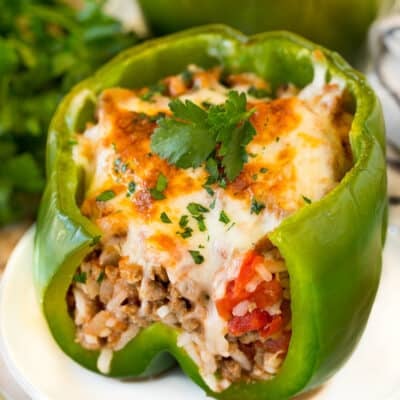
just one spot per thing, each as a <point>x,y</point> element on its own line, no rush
<point>338,24</point>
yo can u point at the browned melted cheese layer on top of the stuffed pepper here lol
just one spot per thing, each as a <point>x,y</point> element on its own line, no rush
<point>298,153</point>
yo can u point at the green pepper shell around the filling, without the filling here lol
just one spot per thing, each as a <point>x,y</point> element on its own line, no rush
<point>332,247</point>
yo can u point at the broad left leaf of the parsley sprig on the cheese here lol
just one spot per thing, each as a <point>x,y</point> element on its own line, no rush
<point>184,139</point>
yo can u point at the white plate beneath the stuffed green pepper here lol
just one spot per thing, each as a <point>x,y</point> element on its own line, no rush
<point>45,373</point>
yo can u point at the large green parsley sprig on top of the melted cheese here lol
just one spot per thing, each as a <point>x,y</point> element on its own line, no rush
<point>191,135</point>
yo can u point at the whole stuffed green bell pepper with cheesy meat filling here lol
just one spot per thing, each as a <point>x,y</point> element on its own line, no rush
<point>220,199</point>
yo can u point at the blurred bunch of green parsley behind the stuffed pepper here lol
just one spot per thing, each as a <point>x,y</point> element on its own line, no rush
<point>46,47</point>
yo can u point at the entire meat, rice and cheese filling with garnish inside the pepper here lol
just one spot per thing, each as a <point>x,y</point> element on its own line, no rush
<point>185,179</point>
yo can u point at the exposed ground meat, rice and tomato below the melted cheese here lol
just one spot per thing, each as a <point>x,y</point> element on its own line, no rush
<point>110,300</point>
